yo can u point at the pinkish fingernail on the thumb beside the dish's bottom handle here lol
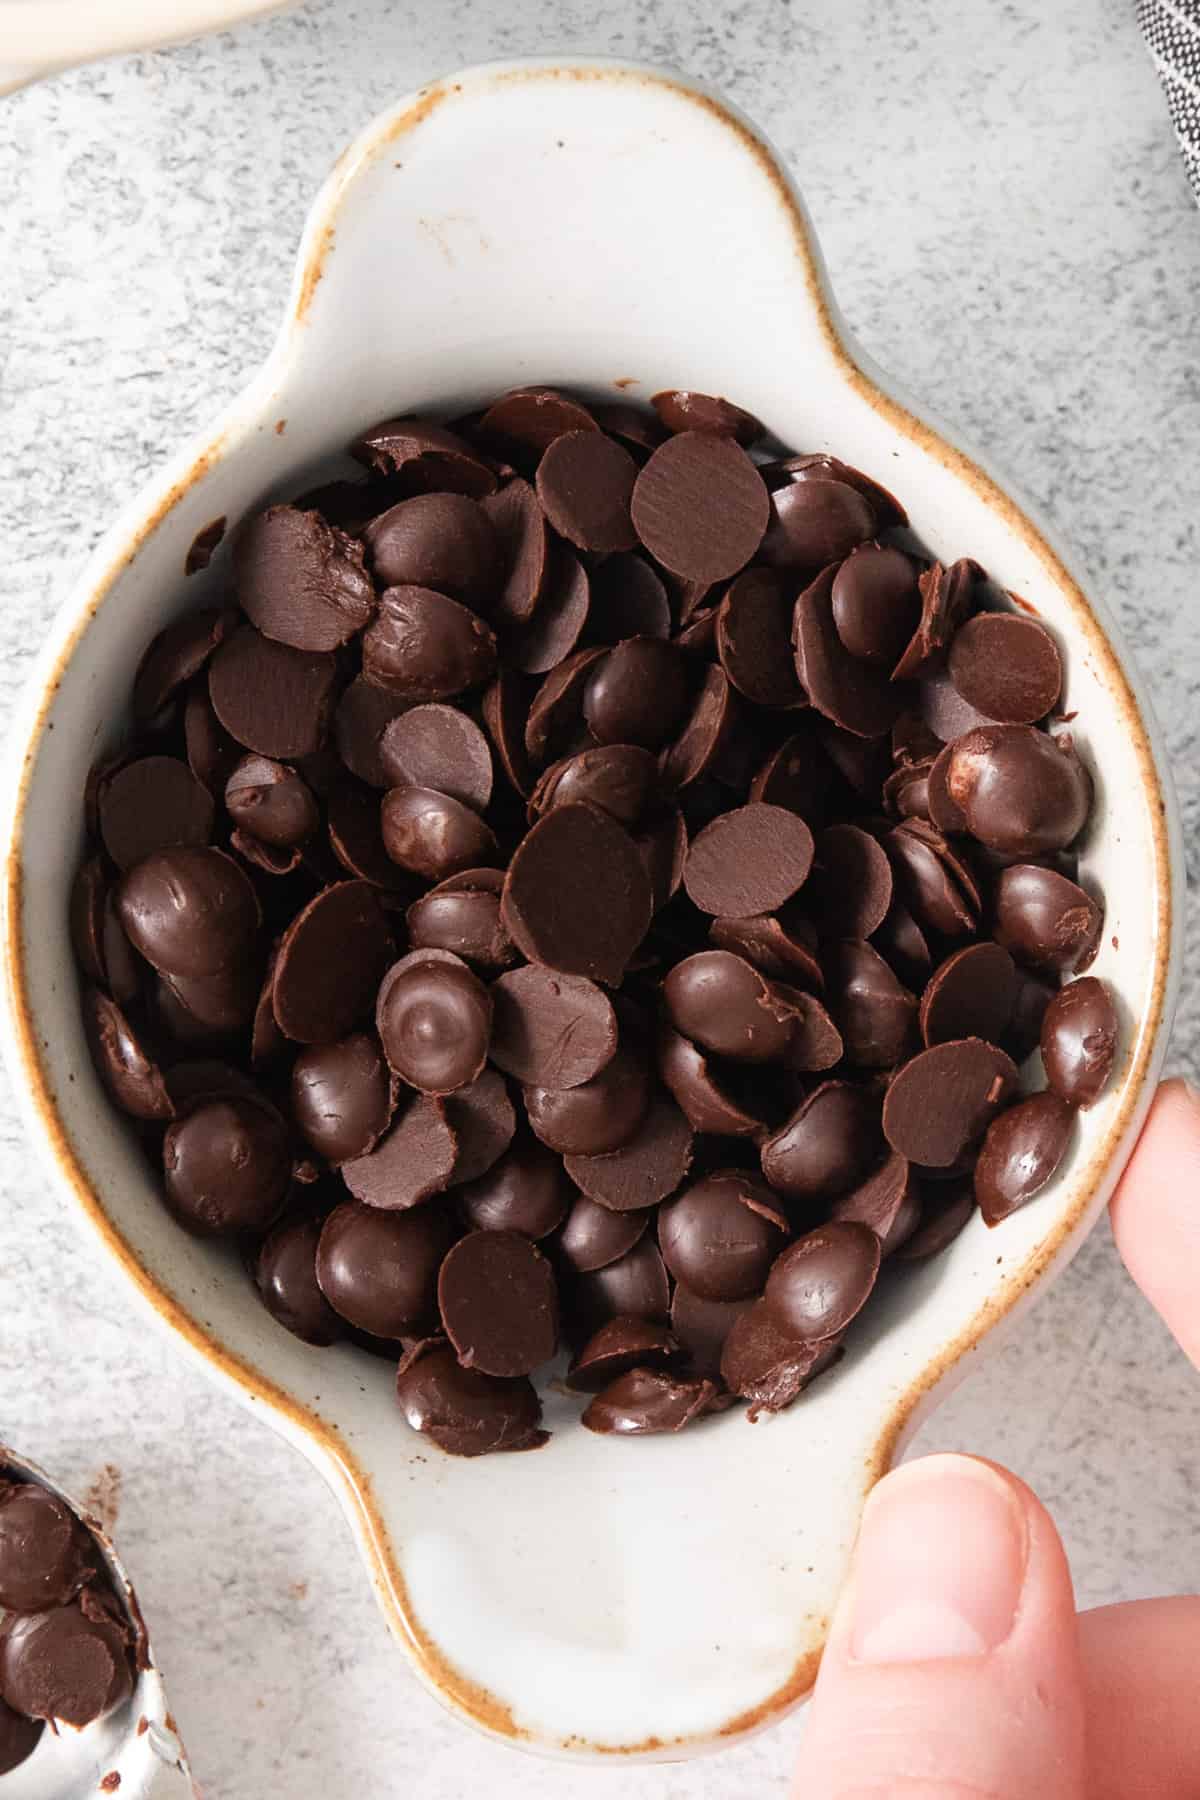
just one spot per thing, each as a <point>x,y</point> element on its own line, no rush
<point>940,1563</point>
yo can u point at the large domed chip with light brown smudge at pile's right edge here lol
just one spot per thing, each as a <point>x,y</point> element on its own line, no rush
<point>1019,789</point>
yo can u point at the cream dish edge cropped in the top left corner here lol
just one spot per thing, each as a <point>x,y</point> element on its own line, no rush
<point>42,37</point>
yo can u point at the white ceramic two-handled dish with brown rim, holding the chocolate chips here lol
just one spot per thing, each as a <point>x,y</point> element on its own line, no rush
<point>613,229</point>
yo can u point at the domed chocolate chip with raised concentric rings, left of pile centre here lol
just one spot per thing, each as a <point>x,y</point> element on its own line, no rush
<point>434,1021</point>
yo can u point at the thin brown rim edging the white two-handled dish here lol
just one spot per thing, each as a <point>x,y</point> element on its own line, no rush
<point>355,1488</point>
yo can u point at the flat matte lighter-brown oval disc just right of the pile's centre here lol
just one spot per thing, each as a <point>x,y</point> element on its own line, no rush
<point>749,861</point>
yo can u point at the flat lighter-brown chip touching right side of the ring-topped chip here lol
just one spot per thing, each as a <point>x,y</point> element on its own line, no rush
<point>551,1030</point>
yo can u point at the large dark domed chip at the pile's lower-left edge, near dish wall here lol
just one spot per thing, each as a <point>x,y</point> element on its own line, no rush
<point>228,1167</point>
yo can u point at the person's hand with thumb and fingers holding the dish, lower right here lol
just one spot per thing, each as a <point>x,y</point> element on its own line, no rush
<point>956,1666</point>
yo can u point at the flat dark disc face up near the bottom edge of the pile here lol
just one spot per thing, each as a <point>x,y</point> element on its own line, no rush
<point>499,1304</point>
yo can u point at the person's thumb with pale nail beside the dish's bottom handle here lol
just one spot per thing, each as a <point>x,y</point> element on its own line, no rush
<point>953,1668</point>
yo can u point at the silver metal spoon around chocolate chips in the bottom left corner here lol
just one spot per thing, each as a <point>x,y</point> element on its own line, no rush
<point>138,1743</point>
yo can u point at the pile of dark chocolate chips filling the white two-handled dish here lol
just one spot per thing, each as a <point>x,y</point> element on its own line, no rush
<point>593,885</point>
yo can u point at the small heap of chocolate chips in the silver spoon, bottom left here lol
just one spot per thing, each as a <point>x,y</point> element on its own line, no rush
<point>67,1650</point>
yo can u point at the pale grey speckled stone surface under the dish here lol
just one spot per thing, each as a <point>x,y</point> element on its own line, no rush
<point>1010,231</point>
